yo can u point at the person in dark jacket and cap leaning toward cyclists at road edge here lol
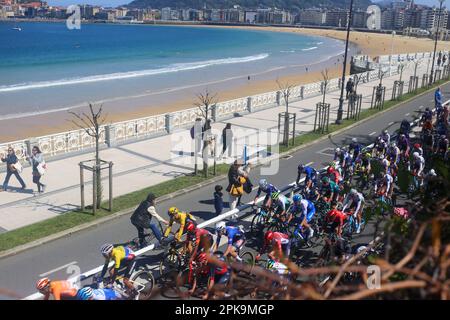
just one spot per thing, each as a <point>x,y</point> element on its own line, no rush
<point>142,217</point>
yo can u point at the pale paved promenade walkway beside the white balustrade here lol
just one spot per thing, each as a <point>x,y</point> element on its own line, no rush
<point>145,163</point>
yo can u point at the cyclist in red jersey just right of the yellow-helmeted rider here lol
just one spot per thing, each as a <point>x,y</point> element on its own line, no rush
<point>197,240</point>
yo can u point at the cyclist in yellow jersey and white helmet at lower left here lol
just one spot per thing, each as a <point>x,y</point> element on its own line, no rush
<point>121,255</point>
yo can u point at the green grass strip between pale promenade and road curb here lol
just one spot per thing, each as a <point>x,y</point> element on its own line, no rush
<point>72,219</point>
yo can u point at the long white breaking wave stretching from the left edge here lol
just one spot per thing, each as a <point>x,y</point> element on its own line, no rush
<point>177,67</point>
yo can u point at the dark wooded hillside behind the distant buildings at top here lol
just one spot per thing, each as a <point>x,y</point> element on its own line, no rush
<point>292,5</point>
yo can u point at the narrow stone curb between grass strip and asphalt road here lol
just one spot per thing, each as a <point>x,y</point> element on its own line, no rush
<point>89,225</point>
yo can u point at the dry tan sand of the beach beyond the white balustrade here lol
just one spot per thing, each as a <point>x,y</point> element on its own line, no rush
<point>364,43</point>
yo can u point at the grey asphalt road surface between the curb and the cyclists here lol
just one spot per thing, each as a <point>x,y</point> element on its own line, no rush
<point>20,272</point>
